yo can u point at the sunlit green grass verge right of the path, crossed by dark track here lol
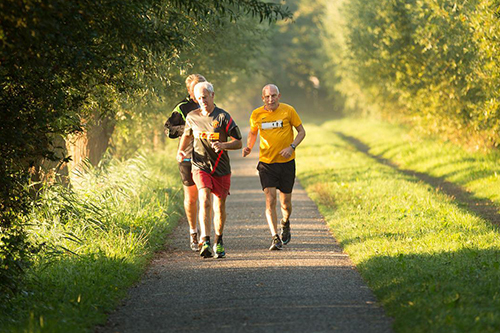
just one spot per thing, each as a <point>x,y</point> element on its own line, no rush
<point>433,261</point>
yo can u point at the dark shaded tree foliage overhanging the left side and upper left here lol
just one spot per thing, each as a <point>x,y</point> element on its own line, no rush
<point>63,61</point>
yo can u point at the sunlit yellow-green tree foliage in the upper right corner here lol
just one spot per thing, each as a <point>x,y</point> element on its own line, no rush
<point>432,63</point>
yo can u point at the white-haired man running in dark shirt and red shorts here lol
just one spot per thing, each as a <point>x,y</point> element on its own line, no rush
<point>211,128</point>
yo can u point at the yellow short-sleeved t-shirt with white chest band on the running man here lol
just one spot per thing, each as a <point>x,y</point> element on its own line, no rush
<point>276,131</point>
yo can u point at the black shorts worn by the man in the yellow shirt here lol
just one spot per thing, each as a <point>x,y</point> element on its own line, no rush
<point>279,175</point>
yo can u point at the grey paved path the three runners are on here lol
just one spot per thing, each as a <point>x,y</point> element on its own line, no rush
<point>310,286</point>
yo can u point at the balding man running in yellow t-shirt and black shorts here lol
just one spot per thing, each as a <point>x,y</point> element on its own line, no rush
<point>275,122</point>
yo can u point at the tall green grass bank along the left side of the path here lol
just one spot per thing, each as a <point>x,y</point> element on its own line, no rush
<point>99,237</point>
